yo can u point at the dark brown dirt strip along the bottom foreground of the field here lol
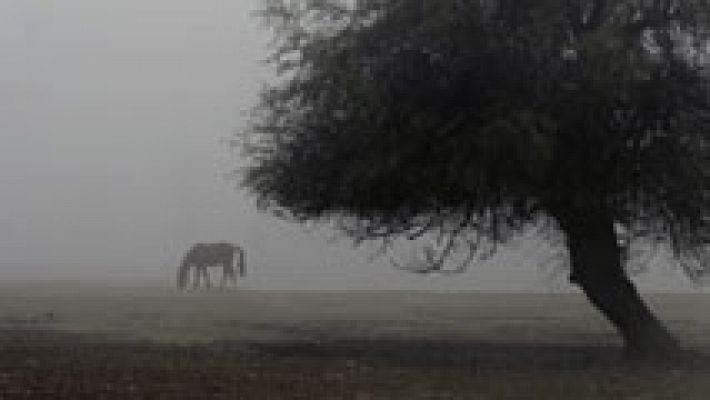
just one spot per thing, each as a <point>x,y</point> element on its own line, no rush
<point>39,364</point>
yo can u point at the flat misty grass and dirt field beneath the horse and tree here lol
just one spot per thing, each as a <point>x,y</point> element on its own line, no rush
<point>96,341</point>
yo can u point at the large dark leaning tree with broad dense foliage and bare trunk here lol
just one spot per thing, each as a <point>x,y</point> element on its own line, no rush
<point>481,119</point>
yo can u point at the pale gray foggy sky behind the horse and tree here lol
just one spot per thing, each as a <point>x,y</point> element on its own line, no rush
<point>111,164</point>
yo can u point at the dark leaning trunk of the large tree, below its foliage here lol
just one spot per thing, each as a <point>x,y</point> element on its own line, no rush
<point>596,267</point>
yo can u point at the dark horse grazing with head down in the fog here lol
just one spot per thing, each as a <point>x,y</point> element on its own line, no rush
<point>204,255</point>
